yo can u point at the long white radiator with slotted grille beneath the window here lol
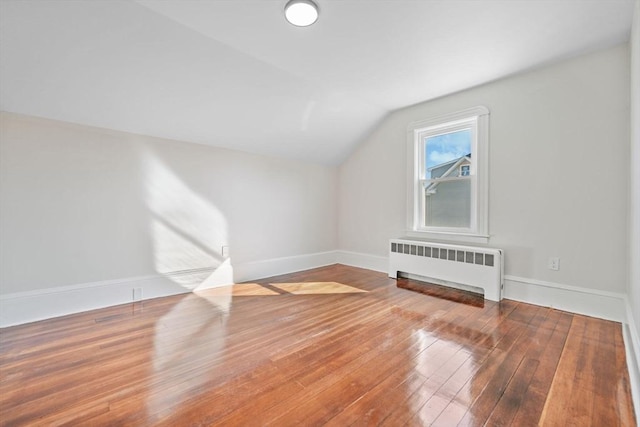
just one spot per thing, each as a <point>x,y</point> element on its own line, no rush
<point>449,265</point>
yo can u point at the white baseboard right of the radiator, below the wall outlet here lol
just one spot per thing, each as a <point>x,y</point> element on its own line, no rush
<point>590,302</point>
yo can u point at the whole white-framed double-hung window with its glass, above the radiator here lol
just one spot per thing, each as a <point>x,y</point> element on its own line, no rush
<point>448,161</point>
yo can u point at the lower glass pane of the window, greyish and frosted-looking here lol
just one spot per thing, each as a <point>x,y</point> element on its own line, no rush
<point>448,204</point>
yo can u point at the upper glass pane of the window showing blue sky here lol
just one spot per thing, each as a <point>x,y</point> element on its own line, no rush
<point>445,154</point>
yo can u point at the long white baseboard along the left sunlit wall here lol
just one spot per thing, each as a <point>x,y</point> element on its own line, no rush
<point>31,306</point>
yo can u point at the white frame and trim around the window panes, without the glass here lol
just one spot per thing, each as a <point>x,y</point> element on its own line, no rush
<point>477,119</point>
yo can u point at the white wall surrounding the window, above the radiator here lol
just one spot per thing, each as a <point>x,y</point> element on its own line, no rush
<point>559,167</point>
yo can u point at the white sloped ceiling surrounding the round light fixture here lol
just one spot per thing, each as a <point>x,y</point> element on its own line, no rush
<point>234,73</point>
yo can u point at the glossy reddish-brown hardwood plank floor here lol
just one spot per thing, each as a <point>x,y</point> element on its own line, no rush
<point>332,346</point>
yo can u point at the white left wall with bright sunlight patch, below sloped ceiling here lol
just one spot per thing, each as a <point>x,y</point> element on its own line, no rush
<point>81,205</point>
